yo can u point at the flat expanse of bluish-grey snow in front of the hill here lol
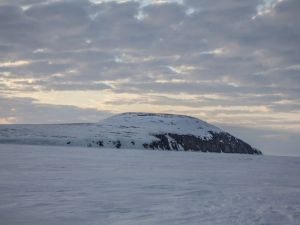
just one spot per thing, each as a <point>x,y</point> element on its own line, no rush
<point>61,185</point>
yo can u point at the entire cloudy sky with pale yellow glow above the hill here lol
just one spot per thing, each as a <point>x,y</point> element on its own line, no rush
<point>233,63</point>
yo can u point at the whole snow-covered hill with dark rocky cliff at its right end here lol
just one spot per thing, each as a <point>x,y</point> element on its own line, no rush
<point>132,130</point>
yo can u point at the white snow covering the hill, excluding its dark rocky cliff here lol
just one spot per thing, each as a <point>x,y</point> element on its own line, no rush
<point>131,129</point>
